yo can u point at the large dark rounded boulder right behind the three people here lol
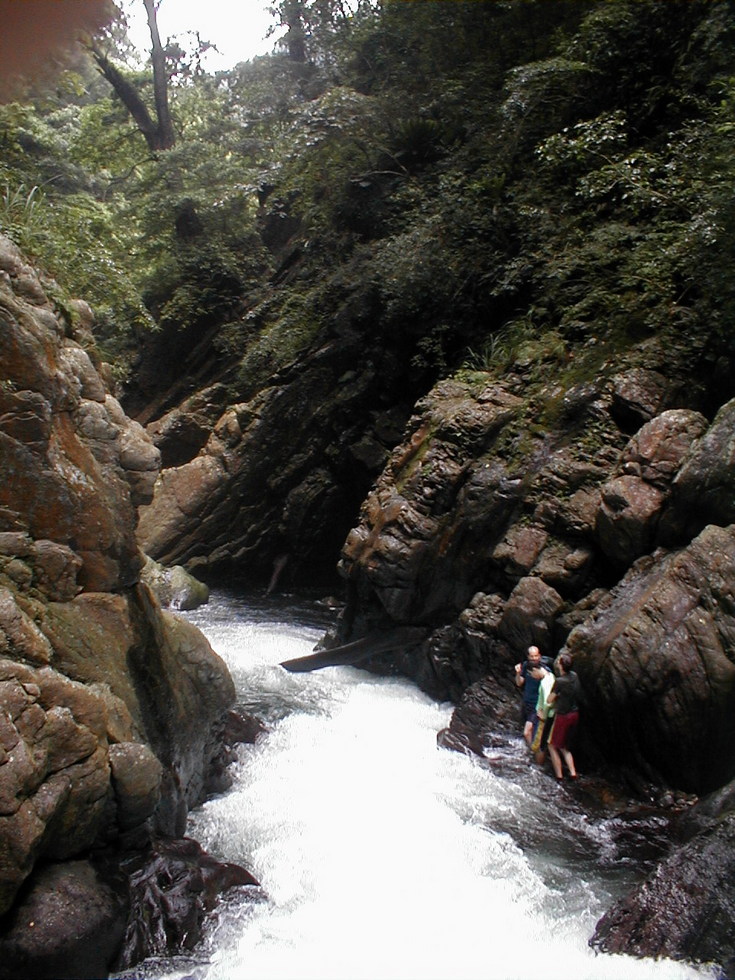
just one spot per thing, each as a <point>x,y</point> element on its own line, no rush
<point>656,654</point>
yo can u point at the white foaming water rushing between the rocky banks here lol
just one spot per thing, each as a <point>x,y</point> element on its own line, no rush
<point>381,856</point>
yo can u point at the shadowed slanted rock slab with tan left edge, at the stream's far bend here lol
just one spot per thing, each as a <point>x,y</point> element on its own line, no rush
<point>270,484</point>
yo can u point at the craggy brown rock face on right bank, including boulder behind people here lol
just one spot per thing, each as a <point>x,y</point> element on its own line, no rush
<point>522,510</point>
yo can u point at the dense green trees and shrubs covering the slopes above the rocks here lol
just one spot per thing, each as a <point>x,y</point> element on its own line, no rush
<point>466,176</point>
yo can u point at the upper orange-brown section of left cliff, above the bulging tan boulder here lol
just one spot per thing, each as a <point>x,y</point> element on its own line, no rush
<point>74,466</point>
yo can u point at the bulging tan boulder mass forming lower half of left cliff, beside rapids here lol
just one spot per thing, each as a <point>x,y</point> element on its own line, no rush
<point>115,739</point>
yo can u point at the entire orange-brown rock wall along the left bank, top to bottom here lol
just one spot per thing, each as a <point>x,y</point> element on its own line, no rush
<point>111,711</point>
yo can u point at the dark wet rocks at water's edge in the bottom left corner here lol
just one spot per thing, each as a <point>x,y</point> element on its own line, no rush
<point>84,919</point>
